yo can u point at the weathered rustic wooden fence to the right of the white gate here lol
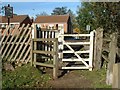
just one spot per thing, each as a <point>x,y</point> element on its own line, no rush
<point>106,50</point>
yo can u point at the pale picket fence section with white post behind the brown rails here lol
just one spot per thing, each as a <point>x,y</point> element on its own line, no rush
<point>41,33</point>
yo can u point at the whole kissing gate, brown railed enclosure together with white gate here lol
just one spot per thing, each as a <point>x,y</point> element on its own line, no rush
<point>69,51</point>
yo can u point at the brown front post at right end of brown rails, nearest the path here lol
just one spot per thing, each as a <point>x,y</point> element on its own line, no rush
<point>55,59</point>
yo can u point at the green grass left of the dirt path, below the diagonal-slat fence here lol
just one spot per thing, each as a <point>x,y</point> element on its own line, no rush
<point>24,76</point>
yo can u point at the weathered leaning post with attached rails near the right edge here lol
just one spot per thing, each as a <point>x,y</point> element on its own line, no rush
<point>109,55</point>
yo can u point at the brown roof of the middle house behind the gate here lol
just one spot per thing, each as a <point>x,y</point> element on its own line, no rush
<point>52,19</point>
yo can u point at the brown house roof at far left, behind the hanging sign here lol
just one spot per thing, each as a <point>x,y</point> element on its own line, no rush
<point>15,19</point>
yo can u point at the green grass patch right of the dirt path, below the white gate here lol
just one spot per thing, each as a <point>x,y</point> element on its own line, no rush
<point>97,77</point>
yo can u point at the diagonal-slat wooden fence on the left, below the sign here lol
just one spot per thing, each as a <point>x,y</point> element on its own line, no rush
<point>16,44</point>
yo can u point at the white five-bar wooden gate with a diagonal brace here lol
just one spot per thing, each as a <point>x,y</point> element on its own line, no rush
<point>86,61</point>
